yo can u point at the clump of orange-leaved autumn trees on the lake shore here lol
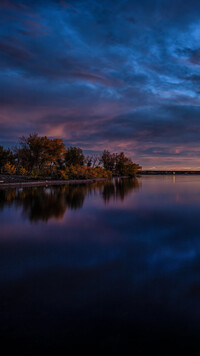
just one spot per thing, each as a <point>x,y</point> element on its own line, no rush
<point>39,156</point>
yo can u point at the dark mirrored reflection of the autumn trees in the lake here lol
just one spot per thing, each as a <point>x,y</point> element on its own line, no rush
<point>44,203</point>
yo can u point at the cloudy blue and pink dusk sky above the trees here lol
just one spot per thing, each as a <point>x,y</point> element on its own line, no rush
<point>110,74</point>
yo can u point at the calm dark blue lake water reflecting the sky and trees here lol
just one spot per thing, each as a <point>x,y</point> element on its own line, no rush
<point>108,267</point>
